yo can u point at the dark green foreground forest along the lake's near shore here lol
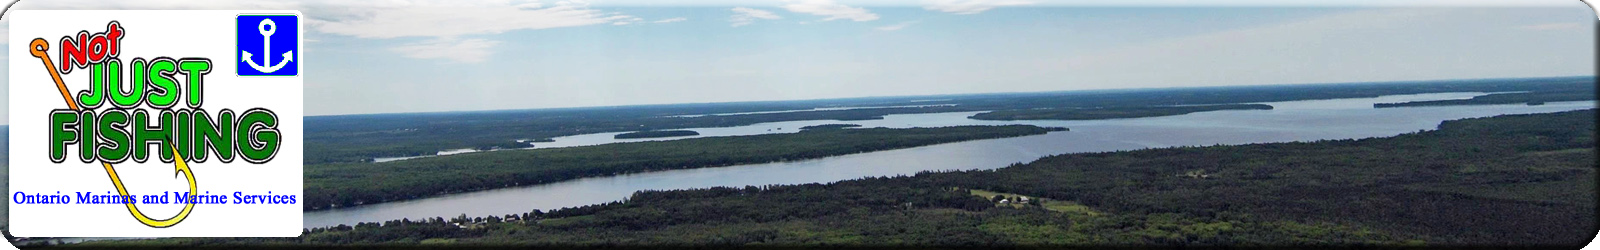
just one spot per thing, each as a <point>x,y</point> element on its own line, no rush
<point>1511,180</point>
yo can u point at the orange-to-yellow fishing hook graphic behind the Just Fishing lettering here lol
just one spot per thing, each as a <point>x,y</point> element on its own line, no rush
<point>41,50</point>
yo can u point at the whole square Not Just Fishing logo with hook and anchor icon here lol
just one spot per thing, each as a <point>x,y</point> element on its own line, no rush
<point>121,127</point>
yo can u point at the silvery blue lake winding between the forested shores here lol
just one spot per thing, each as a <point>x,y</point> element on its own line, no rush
<point>1290,121</point>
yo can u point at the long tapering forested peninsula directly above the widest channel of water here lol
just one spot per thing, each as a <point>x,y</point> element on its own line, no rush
<point>345,185</point>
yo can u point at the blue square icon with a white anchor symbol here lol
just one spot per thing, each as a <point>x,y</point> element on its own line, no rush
<point>268,46</point>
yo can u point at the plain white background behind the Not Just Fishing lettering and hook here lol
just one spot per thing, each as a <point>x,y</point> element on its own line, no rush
<point>150,34</point>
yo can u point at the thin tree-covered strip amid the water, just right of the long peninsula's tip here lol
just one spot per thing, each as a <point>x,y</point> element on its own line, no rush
<point>1110,113</point>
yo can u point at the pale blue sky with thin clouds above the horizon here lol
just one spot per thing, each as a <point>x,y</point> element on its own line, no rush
<point>428,57</point>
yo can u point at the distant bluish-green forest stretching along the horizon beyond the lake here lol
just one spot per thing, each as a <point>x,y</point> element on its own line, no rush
<point>361,139</point>
